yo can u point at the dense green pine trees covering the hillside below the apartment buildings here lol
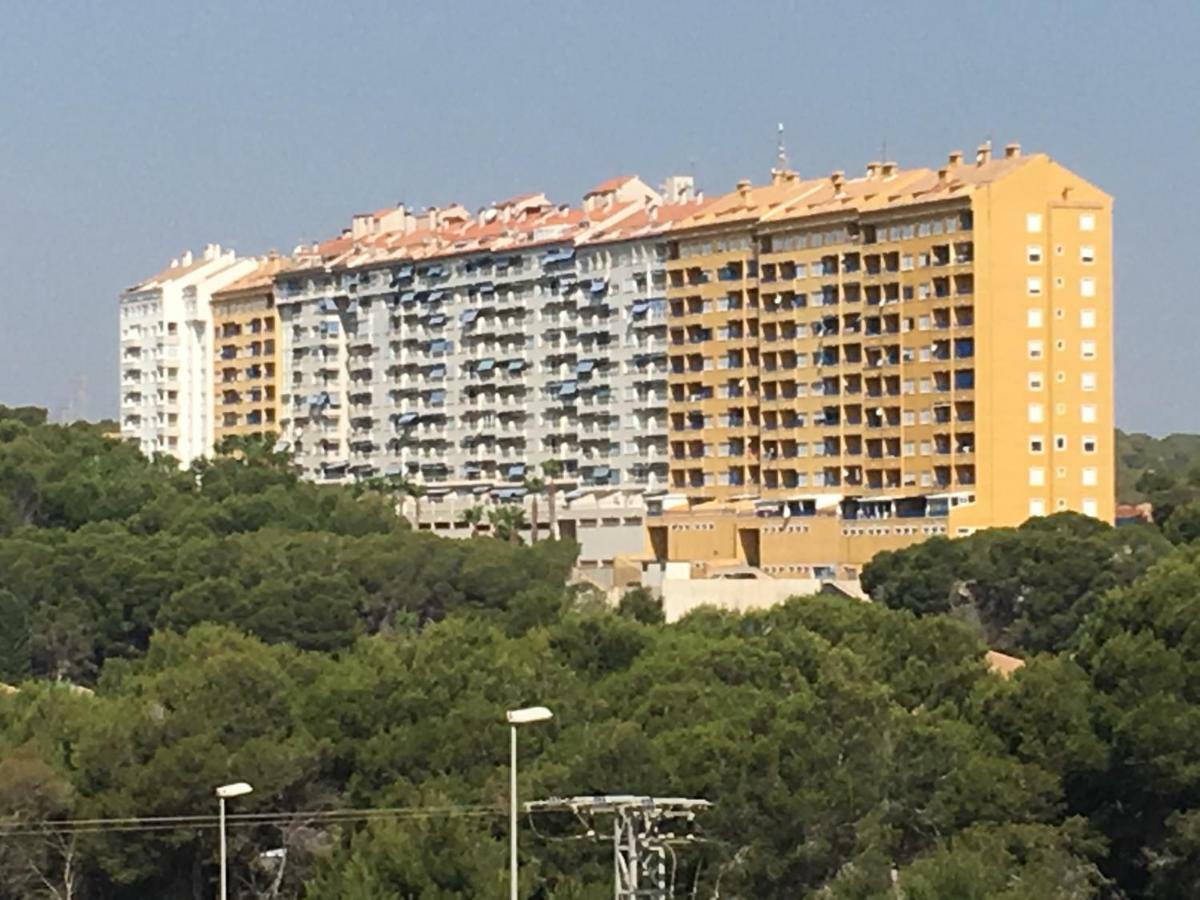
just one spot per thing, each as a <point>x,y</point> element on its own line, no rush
<point>235,623</point>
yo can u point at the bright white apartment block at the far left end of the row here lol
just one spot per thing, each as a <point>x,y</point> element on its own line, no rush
<point>166,355</point>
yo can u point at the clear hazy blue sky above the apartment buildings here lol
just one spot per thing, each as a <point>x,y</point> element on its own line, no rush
<point>130,131</point>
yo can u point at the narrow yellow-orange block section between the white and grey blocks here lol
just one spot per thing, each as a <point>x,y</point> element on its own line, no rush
<point>248,367</point>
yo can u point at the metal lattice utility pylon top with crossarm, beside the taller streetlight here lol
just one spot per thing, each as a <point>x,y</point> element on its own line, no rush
<point>643,832</point>
